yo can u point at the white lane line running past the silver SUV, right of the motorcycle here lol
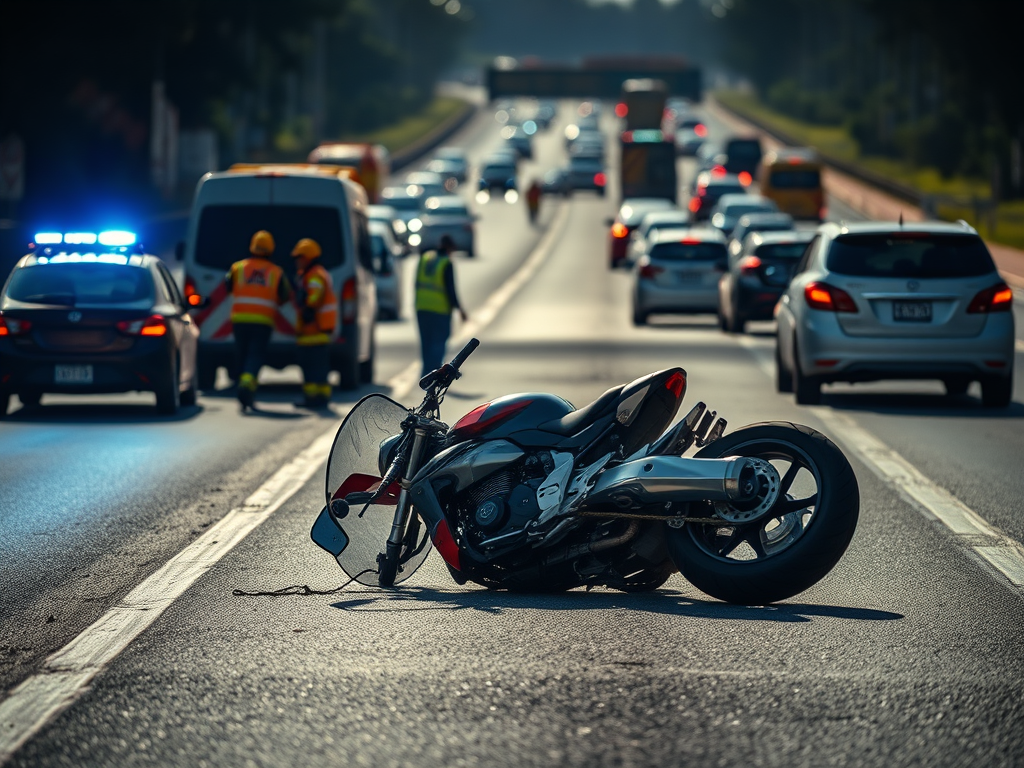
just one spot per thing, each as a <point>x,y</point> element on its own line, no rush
<point>1002,552</point>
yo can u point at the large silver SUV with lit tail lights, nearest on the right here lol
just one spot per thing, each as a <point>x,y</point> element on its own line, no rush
<point>880,301</point>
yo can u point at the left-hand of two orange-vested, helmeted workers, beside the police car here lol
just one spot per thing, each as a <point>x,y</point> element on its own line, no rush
<point>259,287</point>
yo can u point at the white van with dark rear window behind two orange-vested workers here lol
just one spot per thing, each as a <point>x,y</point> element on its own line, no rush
<point>291,202</point>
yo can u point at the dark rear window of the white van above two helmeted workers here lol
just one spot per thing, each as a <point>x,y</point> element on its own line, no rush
<point>225,232</point>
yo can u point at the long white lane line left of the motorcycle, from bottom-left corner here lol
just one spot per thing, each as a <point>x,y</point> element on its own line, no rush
<point>68,673</point>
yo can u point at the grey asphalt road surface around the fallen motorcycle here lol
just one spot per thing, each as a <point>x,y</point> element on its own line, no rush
<point>910,653</point>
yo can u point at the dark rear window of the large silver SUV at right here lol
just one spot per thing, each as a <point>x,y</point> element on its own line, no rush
<point>910,255</point>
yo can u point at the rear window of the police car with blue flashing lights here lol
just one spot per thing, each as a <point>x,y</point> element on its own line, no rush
<point>81,285</point>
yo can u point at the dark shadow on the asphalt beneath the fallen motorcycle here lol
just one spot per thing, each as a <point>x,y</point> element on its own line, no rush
<point>668,603</point>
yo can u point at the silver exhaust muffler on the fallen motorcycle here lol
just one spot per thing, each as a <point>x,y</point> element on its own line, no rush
<point>656,480</point>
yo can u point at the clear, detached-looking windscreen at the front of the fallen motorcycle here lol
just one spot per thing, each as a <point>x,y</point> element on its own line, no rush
<point>353,467</point>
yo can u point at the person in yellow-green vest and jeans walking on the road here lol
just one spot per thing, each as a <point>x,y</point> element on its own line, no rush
<point>436,301</point>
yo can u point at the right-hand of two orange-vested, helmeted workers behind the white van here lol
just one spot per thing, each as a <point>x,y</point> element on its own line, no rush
<point>317,313</point>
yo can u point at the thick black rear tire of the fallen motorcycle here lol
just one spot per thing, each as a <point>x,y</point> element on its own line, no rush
<point>807,560</point>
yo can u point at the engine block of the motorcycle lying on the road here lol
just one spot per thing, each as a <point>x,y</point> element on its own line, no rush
<point>506,501</point>
